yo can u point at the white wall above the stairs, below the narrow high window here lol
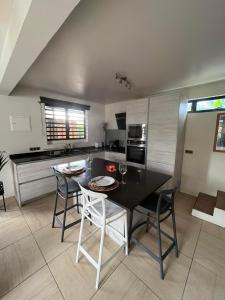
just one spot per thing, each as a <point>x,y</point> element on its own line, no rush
<point>204,170</point>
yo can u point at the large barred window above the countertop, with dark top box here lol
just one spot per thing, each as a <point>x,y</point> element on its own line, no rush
<point>64,120</point>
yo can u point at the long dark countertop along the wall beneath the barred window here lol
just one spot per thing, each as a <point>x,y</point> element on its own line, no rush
<point>29,157</point>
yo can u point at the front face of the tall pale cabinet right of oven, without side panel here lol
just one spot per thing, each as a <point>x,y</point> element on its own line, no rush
<point>162,133</point>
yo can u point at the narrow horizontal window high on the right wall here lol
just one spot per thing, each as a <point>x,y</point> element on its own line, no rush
<point>208,104</point>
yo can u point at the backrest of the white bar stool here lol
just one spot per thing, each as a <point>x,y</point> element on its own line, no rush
<point>92,200</point>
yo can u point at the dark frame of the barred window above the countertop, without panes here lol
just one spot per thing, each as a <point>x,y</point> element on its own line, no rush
<point>67,127</point>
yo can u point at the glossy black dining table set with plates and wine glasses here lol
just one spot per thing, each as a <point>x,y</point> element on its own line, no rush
<point>139,183</point>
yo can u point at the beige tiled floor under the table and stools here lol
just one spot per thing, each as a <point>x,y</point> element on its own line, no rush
<point>34,264</point>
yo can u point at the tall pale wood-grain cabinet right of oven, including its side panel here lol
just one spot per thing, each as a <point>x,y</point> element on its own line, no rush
<point>167,115</point>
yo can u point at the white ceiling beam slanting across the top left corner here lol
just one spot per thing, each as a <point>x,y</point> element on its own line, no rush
<point>32,25</point>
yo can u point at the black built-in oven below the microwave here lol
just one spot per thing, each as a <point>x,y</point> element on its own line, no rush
<point>136,152</point>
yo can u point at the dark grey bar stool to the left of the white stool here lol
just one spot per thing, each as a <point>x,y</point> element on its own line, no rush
<point>66,188</point>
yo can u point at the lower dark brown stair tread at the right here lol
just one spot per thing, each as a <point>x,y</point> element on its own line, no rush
<point>205,203</point>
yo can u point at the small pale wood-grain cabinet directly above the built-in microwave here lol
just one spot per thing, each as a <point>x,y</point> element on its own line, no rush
<point>137,111</point>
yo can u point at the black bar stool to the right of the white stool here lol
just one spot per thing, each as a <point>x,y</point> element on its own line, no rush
<point>160,207</point>
